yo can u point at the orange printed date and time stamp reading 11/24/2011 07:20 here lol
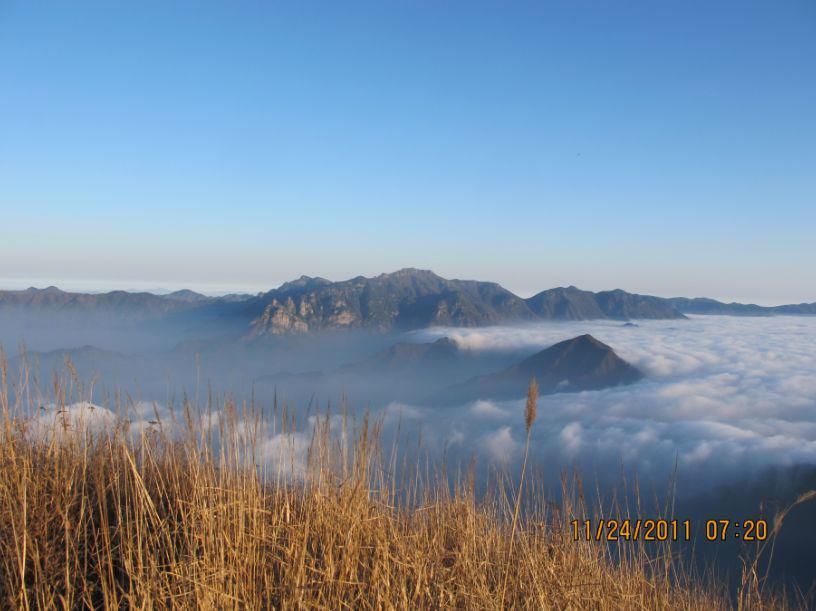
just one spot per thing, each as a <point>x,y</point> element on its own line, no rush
<point>667,530</point>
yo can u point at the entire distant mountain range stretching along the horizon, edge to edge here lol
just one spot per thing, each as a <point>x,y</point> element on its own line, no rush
<point>406,299</point>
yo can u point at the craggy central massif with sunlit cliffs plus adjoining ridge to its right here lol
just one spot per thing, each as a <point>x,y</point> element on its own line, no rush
<point>412,299</point>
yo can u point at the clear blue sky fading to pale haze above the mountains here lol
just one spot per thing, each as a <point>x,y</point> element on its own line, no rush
<point>665,147</point>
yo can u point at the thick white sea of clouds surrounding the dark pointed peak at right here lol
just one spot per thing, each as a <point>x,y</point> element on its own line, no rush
<point>723,397</point>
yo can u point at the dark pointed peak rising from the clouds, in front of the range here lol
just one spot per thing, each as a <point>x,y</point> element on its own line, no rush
<point>580,363</point>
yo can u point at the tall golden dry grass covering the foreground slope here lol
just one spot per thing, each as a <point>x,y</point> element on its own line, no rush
<point>196,520</point>
